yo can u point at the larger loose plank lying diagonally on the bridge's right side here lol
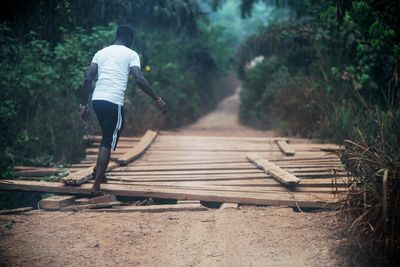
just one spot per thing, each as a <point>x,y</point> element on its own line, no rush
<point>278,173</point>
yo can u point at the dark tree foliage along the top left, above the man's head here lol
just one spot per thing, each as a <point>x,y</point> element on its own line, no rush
<point>49,18</point>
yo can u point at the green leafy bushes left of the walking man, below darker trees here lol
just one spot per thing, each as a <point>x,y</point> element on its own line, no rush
<point>41,83</point>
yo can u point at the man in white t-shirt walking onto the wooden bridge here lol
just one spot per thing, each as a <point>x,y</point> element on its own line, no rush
<point>113,65</point>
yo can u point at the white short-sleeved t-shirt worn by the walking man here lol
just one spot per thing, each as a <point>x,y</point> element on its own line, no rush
<point>113,64</point>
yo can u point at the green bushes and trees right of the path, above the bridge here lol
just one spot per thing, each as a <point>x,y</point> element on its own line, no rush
<point>361,59</point>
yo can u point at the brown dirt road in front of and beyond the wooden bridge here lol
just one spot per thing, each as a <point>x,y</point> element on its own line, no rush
<point>248,236</point>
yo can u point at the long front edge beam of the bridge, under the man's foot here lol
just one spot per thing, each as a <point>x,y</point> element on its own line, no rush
<point>276,198</point>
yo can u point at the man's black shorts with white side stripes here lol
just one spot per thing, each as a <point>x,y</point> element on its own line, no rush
<point>111,118</point>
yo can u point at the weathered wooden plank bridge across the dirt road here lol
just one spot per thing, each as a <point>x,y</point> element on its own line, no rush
<point>206,168</point>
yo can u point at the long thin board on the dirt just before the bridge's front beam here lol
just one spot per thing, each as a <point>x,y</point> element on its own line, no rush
<point>156,208</point>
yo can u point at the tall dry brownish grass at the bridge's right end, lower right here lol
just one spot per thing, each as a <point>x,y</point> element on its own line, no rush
<point>371,212</point>
